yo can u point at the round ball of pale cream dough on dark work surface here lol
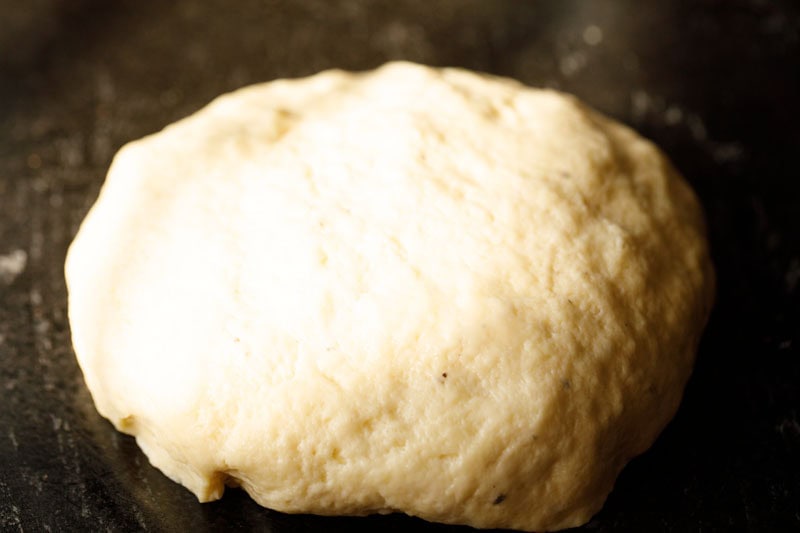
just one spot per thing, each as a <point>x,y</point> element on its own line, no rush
<point>413,289</point>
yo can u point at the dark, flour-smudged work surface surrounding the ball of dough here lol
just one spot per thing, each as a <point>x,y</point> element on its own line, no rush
<point>716,84</point>
